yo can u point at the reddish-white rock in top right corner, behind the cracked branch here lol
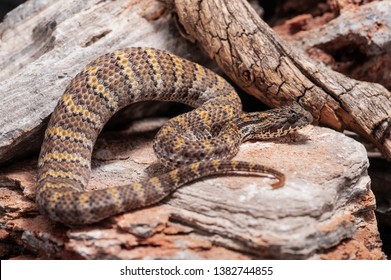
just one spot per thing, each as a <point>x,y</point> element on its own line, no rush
<point>354,43</point>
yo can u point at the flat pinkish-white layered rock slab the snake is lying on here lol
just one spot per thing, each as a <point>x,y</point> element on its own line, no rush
<point>325,210</point>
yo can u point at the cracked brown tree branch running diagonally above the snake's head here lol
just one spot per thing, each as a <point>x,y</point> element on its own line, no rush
<point>251,54</point>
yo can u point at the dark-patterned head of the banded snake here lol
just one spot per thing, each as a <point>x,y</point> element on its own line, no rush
<point>273,123</point>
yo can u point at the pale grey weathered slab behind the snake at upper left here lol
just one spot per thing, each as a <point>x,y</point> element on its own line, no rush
<point>42,48</point>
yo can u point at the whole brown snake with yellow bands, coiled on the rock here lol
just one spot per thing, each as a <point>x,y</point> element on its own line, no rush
<point>196,144</point>
